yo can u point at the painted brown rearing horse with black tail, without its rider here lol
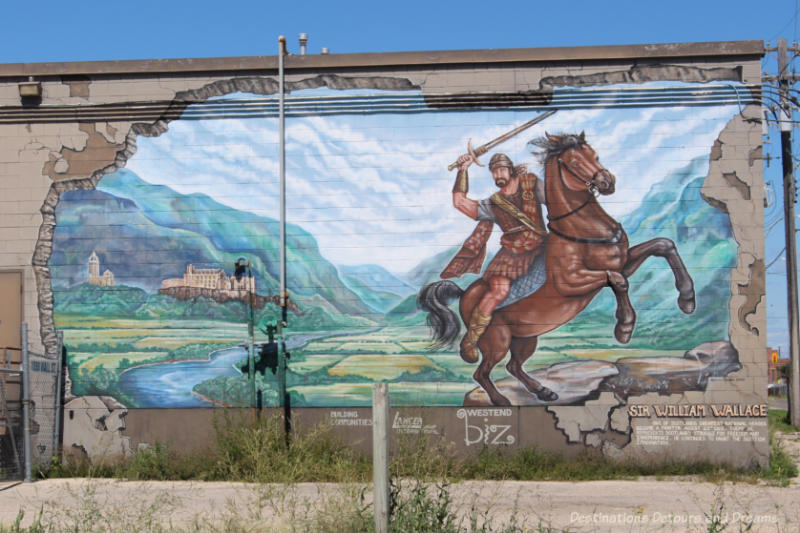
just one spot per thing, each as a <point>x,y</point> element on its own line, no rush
<point>587,250</point>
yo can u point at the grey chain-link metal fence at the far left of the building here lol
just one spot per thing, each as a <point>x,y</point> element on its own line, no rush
<point>30,409</point>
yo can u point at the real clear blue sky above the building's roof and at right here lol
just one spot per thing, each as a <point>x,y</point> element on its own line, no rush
<point>95,30</point>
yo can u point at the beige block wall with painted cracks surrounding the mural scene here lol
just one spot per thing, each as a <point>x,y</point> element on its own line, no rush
<point>35,155</point>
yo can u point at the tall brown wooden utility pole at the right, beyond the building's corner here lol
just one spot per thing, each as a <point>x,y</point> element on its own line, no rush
<point>788,217</point>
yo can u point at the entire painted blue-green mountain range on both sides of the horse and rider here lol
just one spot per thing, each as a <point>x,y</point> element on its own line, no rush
<point>145,233</point>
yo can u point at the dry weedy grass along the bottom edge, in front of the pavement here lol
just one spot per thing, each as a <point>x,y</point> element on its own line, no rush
<point>415,508</point>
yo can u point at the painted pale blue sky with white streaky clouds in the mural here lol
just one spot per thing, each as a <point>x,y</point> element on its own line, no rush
<point>353,180</point>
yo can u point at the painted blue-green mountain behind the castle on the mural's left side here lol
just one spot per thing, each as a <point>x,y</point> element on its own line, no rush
<point>147,233</point>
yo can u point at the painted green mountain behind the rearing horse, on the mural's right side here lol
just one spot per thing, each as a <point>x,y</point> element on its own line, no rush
<point>673,208</point>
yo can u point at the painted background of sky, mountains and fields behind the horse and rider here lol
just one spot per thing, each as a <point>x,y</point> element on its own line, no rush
<point>370,221</point>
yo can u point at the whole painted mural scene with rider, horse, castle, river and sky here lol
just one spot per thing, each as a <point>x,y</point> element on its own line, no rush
<point>155,315</point>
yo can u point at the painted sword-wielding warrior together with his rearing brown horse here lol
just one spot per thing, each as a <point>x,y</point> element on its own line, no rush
<point>587,251</point>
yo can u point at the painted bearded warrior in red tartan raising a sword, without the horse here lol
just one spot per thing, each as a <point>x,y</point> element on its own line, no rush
<point>517,209</point>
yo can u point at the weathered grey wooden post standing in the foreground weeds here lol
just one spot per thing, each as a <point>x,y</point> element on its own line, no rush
<point>380,455</point>
